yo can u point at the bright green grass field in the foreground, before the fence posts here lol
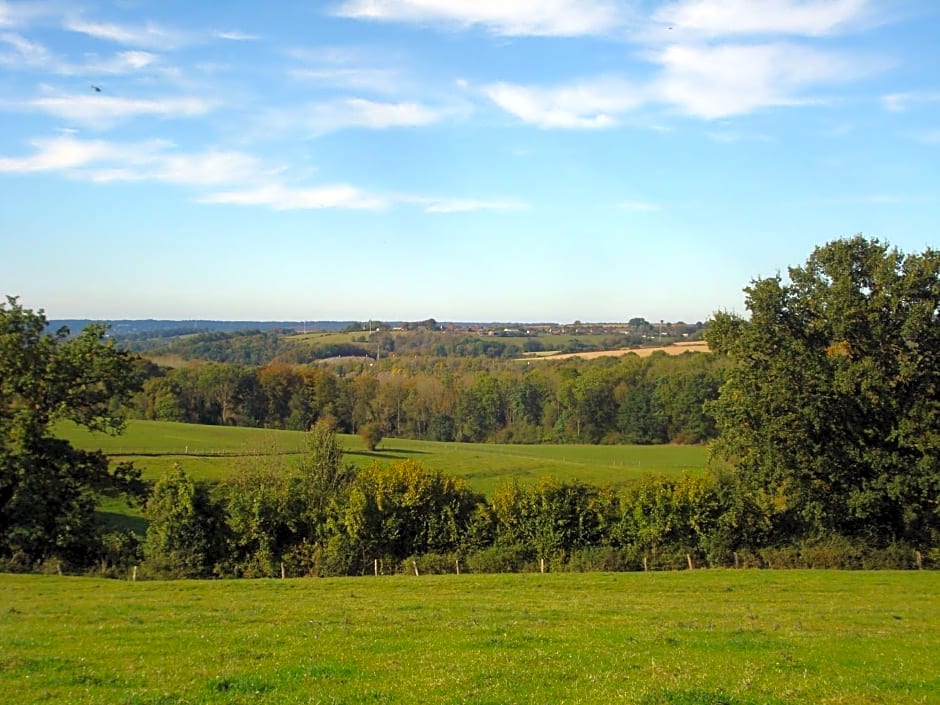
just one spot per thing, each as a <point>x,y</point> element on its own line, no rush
<point>692,638</point>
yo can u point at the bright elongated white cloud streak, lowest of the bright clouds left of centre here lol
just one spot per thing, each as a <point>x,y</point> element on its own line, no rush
<point>281,197</point>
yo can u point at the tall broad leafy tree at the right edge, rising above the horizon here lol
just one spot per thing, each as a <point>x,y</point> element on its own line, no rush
<point>831,409</point>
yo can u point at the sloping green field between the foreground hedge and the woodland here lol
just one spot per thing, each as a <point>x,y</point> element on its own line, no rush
<point>212,452</point>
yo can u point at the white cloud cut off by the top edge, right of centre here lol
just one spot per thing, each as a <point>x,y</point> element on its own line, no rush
<point>717,18</point>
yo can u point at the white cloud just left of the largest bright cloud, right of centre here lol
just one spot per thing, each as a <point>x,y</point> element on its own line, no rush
<point>594,103</point>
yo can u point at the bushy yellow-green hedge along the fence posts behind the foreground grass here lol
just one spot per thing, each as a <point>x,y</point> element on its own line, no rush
<point>324,518</point>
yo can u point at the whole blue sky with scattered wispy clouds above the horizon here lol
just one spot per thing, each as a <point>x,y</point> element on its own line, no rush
<point>523,160</point>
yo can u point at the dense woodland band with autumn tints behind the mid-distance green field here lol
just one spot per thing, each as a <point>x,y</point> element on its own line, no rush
<point>659,399</point>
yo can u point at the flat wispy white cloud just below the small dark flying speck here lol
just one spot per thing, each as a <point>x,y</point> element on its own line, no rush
<point>102,111</point>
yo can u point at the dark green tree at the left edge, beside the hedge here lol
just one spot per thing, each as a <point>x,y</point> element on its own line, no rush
<point>48,489</point>
